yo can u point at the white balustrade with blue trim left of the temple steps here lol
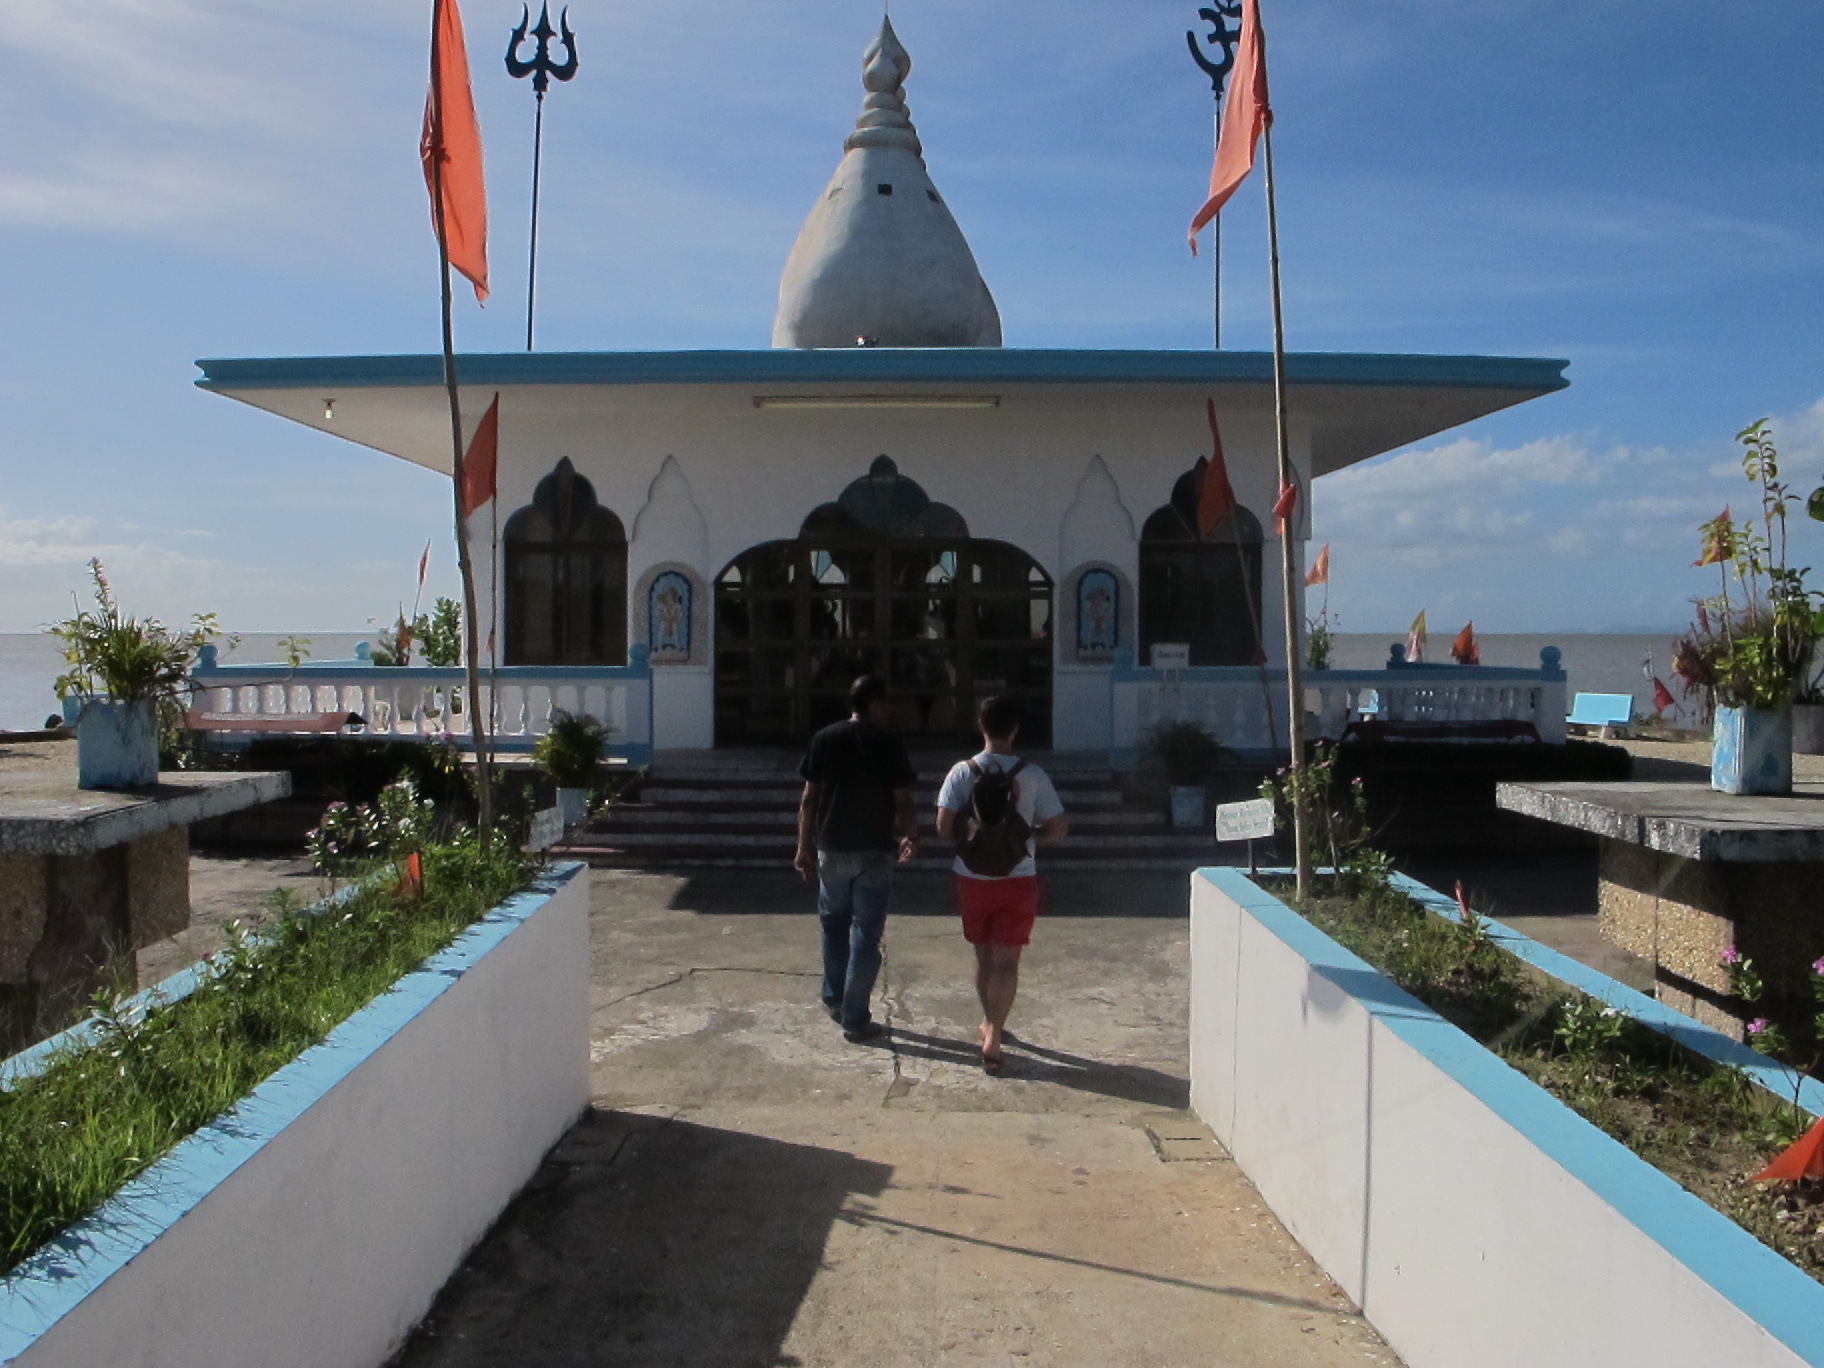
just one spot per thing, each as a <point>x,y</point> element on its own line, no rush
<point>402,703</point>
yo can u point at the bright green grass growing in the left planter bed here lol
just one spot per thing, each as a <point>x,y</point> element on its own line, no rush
<point>99,1117</point>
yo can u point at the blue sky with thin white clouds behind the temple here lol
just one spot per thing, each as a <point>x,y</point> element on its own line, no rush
<point>1630,187</point>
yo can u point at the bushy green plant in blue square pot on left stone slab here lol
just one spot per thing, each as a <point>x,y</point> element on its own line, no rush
<point>121,672</point>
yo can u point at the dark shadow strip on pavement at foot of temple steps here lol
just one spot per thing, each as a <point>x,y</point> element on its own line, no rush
<point>926,893</point>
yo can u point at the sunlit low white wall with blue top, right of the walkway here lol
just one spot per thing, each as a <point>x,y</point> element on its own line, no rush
<point>1471,1216</point>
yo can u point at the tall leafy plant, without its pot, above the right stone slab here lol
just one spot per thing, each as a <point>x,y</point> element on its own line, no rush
<point>1754,639</point>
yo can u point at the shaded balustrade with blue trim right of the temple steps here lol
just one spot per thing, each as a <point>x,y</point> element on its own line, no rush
<point>1245,707</point>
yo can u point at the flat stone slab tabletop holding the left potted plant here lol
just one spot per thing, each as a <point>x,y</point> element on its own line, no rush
<point>43,813</point>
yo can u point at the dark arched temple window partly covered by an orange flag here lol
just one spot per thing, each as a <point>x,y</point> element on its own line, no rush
<point>1201,592</point>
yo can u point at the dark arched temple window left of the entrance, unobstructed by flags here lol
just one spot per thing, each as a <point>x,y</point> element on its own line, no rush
<point>566,577</point>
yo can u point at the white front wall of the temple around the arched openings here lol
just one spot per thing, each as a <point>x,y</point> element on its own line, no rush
<point>1068,473</point>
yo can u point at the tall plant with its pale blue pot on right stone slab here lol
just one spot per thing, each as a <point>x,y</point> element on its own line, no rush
<point>1754,641</point>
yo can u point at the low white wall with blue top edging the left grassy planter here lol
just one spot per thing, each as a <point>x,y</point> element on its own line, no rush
<point>357,1177</point>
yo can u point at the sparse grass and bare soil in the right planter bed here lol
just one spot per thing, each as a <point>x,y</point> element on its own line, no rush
<point>1703,1124</point>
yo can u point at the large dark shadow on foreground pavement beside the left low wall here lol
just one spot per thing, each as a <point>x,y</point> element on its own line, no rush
<point>647,1241</point>
